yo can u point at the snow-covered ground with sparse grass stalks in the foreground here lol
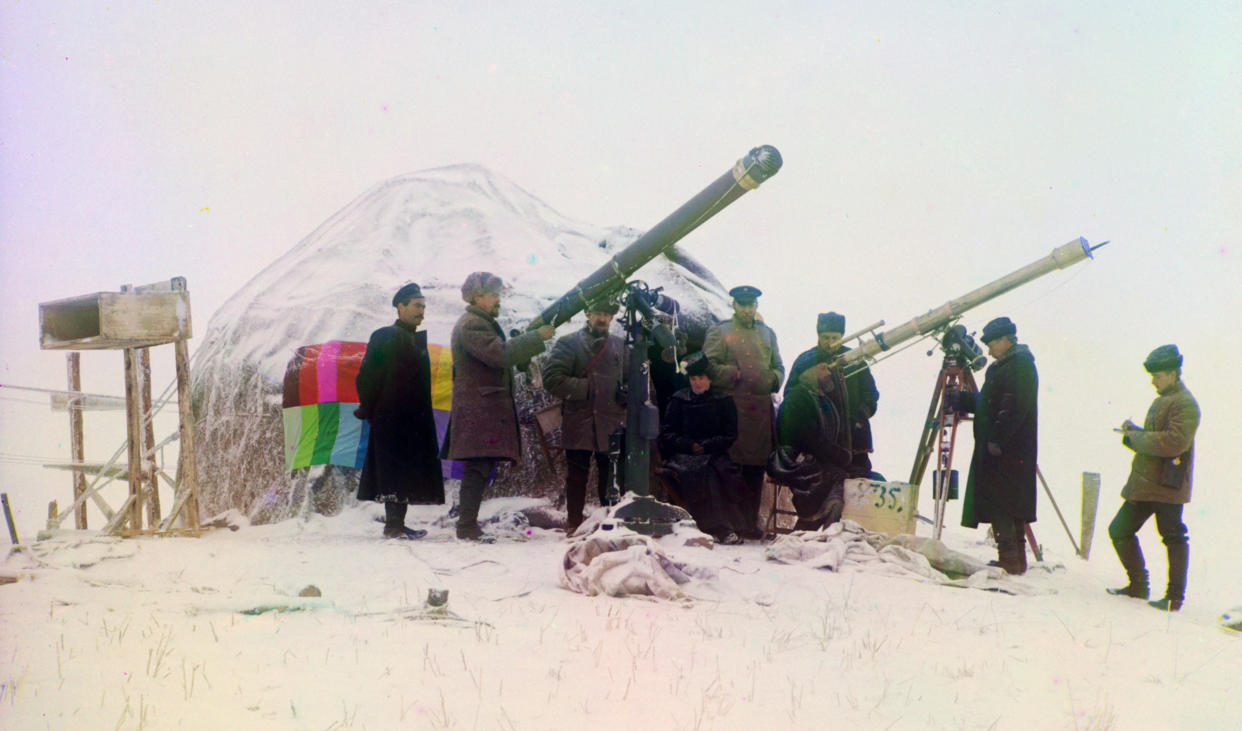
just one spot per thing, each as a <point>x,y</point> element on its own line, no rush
<point>211,634</point>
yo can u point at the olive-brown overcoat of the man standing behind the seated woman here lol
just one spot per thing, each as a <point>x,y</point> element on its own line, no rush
<point>746,364</point>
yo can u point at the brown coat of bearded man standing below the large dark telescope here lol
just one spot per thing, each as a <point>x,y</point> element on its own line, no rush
<point>587,373</point>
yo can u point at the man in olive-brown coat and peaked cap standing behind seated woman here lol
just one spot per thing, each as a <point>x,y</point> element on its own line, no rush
<point>746,364</point>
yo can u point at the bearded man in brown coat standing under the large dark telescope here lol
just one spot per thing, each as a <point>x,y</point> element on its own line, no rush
<point>587,372</point>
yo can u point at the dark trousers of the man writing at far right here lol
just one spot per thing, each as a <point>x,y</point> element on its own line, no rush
<point>1173,532</point>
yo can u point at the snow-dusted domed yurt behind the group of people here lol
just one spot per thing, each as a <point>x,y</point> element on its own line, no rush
<point>433,228</point>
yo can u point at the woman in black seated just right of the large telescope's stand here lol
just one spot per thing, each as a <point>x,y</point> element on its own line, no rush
<point>696,434</point>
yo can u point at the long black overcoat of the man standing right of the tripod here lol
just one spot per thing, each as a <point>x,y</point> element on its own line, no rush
<point>1007,415</point>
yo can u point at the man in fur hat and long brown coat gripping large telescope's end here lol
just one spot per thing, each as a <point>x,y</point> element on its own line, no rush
<point>484,423</point>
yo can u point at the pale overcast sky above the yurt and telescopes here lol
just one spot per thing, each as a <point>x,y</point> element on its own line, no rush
<point>928,148</point>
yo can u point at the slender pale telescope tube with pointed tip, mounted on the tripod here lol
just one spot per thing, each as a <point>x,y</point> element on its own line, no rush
<point>1060,259</point>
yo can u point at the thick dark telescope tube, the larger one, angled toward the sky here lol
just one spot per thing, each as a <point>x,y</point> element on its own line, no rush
<point>757,167</point>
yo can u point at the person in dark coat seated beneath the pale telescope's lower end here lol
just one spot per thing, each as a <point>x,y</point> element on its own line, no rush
<point>812,444</point>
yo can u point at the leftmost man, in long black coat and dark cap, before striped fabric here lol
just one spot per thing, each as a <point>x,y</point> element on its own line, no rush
<point>394,390</point>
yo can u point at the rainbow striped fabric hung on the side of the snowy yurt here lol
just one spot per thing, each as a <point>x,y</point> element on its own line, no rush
<point>321,398</point>
